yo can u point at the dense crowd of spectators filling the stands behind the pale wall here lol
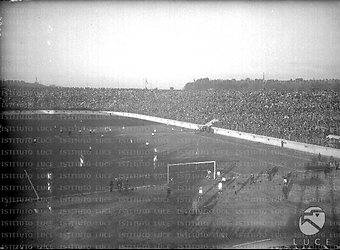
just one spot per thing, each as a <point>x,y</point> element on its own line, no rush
<point>304,116</point>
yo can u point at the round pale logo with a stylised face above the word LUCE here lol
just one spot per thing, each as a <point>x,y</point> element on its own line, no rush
<point>312,220</point>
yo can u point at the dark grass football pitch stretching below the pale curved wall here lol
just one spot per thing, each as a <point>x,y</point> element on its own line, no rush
<point>85,214</point>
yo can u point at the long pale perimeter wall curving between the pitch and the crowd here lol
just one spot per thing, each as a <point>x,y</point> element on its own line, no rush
<point>314,149</point>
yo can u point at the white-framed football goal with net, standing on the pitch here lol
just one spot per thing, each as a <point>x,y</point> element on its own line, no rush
<point>190,171</point>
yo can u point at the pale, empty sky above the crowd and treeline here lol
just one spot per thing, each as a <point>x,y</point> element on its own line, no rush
<point>124,44</point>
